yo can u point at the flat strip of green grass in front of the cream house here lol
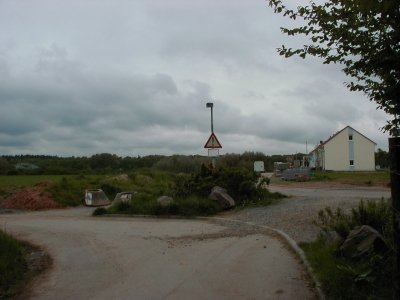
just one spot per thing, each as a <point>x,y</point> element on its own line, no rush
<point>356,178</point>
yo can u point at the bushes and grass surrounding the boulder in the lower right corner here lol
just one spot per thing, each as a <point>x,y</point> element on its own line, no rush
<point>366,277</point>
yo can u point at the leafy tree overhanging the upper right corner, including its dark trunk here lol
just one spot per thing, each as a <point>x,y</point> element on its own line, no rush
<point>364,37</point>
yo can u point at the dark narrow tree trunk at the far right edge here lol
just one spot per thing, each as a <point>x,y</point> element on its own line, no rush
<point>394,152</point>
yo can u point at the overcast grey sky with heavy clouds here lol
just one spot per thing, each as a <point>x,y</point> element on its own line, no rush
<point>132,77</point>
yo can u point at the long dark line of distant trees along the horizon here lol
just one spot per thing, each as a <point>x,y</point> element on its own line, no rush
<point>106,163</point>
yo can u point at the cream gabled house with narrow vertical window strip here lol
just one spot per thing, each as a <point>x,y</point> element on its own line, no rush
<point>346,150</point>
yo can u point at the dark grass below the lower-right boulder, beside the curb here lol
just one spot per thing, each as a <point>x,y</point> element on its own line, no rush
<point>367,278</point>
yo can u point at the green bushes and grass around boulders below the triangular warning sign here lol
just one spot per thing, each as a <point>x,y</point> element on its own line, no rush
<point>190,192</point>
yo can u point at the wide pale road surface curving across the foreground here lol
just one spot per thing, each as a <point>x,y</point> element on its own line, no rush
<point>131,258</point>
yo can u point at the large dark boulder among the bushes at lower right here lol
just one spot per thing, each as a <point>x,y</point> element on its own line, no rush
<point>361,240</point>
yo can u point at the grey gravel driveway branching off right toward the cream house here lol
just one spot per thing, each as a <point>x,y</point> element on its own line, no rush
<point>295,215</point>
